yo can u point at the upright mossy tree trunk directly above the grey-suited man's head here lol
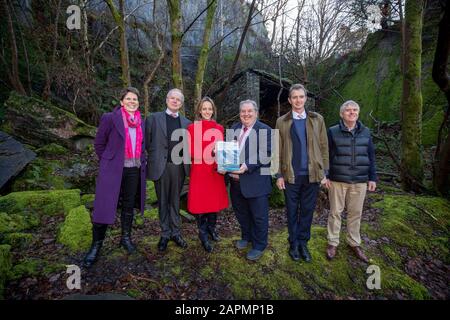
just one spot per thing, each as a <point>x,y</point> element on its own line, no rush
<point>176,32</point>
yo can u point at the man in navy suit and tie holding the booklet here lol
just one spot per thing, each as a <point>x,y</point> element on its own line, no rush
<point>251,184</point>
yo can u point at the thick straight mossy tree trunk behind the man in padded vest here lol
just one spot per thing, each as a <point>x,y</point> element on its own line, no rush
<point>411,103</point>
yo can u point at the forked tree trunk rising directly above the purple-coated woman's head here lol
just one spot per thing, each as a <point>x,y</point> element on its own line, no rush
<point>119,18</point>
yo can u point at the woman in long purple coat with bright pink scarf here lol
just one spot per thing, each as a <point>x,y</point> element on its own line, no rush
<point>119,145</point>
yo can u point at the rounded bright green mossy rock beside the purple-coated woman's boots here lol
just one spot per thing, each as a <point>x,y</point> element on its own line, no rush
<point>76,230</point>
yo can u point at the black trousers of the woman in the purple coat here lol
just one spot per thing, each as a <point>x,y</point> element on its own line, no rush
<point>129,188</point>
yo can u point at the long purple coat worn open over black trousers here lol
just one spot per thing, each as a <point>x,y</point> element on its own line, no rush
<point>109,146</point>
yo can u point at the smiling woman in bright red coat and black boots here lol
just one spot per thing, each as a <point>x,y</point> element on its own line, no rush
<point>207,192</point>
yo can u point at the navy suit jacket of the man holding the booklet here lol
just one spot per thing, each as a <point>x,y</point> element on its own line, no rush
<point>253,183</point>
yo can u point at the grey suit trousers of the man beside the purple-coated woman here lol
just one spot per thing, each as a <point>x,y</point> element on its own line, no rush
<point>168,190</point>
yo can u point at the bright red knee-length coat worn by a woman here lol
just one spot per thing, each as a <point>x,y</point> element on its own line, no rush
<point>207,191</point>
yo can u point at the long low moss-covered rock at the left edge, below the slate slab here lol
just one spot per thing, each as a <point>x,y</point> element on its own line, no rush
<point>51,202</point>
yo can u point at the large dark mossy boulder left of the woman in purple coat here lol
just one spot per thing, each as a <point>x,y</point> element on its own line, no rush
<point>39,123</point>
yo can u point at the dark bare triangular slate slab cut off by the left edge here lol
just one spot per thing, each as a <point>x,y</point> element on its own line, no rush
<point>13,158</point>
